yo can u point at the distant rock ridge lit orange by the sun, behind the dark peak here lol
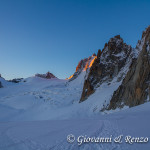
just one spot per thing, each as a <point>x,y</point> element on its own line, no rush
<point>83,66</point>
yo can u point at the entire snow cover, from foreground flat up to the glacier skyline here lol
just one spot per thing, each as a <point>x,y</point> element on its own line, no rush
<point>38,109</point>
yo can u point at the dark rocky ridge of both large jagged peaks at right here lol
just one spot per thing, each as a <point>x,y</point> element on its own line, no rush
<point>101,71</point>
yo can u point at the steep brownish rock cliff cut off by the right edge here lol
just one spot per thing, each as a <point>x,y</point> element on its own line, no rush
<point>135,88</point>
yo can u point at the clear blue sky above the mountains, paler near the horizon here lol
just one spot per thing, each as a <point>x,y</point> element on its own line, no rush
<point>37,36</point>
